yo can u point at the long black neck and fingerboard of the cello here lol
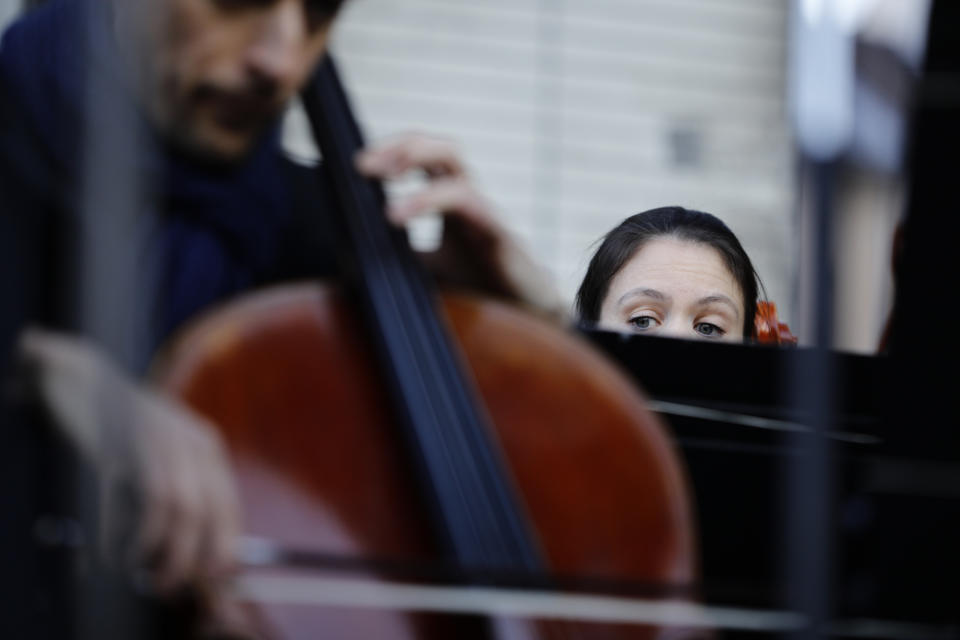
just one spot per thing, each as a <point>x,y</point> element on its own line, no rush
<point>475,512</point>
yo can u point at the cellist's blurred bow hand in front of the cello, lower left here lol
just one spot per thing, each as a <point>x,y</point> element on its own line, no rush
<point>159,463</point>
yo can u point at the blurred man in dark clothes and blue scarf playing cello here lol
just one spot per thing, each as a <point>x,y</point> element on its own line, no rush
<point>206,81</point>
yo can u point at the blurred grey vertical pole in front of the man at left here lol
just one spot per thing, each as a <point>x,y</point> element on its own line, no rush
<point>111,295</point>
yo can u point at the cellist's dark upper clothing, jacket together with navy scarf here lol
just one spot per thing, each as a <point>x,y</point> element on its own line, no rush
<point>204,234</point>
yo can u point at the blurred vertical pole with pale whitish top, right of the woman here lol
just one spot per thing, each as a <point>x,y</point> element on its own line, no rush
<point>821,97</point>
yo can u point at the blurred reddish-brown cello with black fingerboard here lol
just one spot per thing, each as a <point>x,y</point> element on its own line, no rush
<point>396,431</point>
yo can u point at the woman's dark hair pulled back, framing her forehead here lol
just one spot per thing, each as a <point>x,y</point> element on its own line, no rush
<point>624,240</point>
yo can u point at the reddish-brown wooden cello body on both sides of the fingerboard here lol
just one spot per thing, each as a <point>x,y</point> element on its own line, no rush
<point>288,377</point>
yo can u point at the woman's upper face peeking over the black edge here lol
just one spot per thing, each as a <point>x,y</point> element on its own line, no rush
<point>676,288</point>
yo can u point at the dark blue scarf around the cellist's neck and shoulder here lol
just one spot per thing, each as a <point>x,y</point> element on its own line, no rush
<point>216,229</point>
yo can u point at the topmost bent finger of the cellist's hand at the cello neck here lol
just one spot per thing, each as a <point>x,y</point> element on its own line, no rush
<point>395,157</point>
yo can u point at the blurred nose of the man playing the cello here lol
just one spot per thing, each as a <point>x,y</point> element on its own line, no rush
<point>274,54</point>
